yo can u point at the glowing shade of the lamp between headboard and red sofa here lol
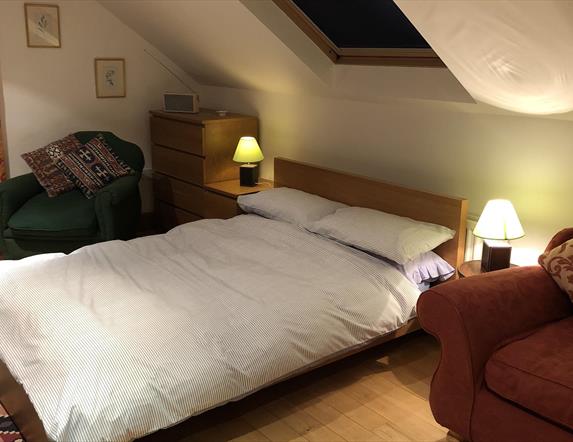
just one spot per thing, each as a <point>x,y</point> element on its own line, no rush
<point>499,221</point>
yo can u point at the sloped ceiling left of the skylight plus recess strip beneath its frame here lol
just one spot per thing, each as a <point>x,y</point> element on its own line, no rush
<point>251,44</point>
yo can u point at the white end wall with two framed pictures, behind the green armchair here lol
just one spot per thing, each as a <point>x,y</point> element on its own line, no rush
<point>49,93</point>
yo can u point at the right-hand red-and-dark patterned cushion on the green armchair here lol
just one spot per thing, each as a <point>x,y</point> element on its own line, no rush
<point>92,166</point>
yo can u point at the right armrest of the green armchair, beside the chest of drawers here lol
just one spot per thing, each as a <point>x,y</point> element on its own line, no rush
<point>118,207</point>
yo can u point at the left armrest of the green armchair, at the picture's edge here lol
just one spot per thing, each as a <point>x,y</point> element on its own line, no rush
<point>14,193</point>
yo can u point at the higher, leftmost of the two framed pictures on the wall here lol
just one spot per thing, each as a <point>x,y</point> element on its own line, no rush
<point>42,25</point>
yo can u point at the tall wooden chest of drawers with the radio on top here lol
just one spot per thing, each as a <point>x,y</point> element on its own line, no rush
<point>190,151</point>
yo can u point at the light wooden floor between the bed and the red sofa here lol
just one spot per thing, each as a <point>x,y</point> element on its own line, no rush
<point>377,395</point>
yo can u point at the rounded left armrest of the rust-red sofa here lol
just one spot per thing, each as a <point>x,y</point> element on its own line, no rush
<point>472,317</point>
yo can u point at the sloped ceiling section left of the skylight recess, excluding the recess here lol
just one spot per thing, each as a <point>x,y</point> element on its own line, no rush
<point>217,42</point>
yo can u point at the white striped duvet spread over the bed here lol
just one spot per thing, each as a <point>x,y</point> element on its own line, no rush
<point>120,339</point>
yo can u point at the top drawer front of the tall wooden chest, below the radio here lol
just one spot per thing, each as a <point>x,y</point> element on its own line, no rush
<point>177,135</point>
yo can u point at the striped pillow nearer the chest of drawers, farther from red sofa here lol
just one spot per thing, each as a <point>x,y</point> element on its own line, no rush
<point>291,205</point>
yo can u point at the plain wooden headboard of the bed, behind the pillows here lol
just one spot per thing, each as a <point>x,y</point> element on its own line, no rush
<point>356,190</point>
